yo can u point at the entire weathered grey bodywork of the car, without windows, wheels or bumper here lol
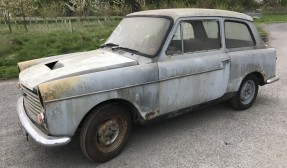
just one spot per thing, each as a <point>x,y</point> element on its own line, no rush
<point>70,86</point>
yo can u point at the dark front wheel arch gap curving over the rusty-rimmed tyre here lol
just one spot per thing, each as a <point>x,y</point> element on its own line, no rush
<point>135,115</point>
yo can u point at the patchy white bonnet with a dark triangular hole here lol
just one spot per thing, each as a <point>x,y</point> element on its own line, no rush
<point>93,61</point>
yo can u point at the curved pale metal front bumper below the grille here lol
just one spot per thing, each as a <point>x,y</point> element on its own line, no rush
<point>35,132</point>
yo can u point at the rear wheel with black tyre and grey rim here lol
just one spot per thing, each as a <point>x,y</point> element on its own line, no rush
<point>246,94</point>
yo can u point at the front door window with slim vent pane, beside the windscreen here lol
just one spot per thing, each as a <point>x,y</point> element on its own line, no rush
<point>195,35</point>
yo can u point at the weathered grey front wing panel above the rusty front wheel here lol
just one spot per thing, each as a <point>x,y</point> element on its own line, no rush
<point>76,96</point>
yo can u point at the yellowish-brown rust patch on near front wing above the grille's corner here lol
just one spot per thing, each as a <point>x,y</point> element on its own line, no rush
<point>58,88</point>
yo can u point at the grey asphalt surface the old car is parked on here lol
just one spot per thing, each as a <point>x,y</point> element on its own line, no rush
<point>217,136</point>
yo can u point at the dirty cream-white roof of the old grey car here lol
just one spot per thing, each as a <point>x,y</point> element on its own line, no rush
<point>190,12</point>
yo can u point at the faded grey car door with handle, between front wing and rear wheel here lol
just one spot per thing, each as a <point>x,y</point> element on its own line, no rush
<point>198,79</point>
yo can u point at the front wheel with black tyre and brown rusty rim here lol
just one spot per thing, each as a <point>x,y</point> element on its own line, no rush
<point>105,132</point>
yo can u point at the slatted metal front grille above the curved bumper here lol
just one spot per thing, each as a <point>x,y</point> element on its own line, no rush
<point>32,104</point>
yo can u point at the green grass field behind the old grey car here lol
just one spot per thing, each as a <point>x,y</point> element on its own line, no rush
<point>53,38</point>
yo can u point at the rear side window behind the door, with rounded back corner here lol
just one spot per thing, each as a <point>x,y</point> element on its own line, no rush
<point>237,35</point>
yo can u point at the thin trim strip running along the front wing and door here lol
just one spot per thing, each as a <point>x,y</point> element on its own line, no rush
<point>108,90</point>
